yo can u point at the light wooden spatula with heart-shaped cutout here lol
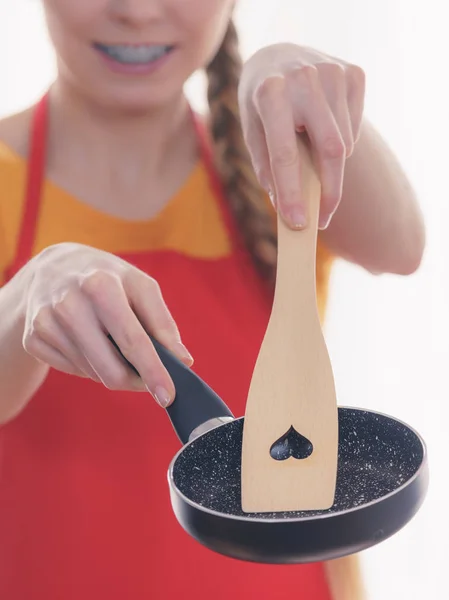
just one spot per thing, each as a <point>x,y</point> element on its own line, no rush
<point>290,434</point>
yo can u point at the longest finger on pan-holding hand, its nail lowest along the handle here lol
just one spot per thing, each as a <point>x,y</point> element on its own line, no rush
<point>112,308</point>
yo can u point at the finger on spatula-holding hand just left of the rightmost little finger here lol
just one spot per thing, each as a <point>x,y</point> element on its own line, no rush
<point>333,81</point>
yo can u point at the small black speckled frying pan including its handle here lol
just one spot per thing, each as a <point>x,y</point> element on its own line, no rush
<point>382,480</point>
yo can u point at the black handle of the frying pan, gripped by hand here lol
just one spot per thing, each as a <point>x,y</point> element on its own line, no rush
<point>195,402</point>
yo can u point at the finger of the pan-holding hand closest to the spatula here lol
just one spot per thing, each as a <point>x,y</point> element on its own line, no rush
<point>146,301</point>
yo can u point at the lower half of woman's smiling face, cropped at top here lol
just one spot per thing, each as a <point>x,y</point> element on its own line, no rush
<point>134,54</point>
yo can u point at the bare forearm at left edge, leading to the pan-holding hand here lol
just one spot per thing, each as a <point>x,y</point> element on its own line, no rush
<point>20,374</point>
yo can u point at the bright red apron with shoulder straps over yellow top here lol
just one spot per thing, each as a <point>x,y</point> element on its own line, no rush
<point>85,512</point>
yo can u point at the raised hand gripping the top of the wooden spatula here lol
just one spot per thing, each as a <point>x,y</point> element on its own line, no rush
<point>286,89</point>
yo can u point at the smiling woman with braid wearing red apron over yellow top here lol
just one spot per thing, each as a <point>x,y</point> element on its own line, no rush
<point>121,211</point>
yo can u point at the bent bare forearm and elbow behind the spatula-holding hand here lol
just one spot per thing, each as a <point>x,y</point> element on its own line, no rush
<point>378,224</point>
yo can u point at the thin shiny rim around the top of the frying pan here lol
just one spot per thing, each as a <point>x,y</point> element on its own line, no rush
<point>325,515</point>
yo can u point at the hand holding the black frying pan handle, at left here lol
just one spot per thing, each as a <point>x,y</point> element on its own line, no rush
<point>76,296</point>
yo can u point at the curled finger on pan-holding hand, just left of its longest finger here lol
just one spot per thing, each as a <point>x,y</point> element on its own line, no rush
<point>76,316</point>
